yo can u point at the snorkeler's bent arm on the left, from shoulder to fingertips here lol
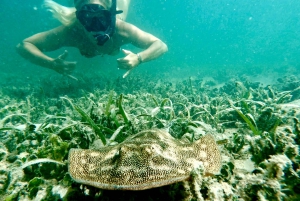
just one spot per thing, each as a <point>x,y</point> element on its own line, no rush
<point>33,47</point>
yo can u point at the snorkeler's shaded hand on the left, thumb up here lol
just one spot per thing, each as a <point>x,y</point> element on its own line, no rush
<point>63,67</point>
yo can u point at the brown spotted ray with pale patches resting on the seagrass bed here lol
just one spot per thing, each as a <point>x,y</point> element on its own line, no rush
<point>146,160</point>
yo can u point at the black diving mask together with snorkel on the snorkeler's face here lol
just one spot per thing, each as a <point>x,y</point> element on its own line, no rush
<point>95,18</point>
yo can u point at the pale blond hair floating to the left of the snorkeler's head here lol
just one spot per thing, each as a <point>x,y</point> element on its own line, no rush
<point>66,15</point>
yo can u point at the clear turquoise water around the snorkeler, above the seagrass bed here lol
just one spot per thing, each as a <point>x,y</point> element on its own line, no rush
<point>201,35</point>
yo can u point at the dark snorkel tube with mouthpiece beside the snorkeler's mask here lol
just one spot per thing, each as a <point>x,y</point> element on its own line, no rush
<point>108,33</point>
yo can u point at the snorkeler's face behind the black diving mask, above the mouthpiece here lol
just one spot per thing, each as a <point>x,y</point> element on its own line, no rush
<point>94,17</point>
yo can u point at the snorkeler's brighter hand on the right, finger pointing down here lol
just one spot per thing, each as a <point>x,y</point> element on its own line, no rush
<point>129,62</point>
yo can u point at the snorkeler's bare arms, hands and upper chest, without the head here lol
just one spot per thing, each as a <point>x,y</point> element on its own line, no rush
<point>75,35</point>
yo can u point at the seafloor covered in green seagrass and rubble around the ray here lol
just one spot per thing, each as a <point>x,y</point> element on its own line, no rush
<point>256,126</point>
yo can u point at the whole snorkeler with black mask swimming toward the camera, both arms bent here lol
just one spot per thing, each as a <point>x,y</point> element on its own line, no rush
<point>95,27</point>
